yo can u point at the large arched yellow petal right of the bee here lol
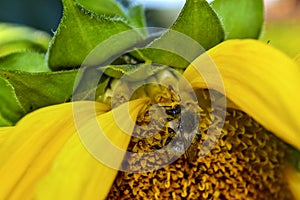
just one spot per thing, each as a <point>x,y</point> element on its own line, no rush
<point>260,80</point>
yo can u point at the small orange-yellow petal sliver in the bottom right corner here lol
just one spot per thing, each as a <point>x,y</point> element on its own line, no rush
<point>293,179</point>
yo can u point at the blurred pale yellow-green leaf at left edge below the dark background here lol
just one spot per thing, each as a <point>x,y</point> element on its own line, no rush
<point>14,38</point>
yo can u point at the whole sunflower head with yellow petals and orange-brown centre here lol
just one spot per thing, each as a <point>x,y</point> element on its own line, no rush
<point>43,156</point>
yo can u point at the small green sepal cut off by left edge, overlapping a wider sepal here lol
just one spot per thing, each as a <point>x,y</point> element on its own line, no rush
<point>10,108</point>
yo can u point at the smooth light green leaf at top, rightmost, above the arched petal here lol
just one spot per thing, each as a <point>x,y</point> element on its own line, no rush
<point>241,18</point>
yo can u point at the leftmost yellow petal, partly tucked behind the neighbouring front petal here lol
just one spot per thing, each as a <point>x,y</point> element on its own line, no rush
<point>34,143</point>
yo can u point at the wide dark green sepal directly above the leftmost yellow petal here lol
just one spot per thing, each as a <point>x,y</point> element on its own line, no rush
<point>35,90</point>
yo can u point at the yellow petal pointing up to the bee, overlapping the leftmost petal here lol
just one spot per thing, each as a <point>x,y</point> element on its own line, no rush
<point>75,173</point>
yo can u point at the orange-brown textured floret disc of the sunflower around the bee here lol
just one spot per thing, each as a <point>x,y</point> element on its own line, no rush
<point>245,162</point>
